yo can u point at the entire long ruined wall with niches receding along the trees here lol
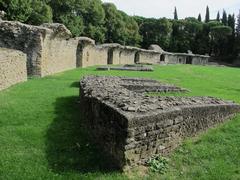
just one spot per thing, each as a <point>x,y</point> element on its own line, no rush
<point>50,49</point>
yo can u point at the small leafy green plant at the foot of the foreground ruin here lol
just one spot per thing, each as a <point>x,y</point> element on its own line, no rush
<point>158,164</point>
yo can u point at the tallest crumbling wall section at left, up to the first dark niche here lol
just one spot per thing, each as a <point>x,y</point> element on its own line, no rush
<point>48,47</point>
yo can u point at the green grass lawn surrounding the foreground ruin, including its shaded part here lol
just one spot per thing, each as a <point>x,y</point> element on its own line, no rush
<point>41,136</point>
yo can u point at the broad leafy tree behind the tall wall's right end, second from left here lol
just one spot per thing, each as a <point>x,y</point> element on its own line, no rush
<point>88,15</point>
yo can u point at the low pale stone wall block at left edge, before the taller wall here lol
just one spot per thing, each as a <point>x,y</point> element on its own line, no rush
<point>13,67</point>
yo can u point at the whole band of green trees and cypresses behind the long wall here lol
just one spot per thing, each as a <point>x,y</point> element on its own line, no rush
<point>106,24</point>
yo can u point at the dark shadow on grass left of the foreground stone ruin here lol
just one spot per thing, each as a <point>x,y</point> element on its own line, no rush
<point>68,145</point>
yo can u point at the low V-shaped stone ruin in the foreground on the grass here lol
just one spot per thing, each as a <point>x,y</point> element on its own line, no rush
<point>131,126</point>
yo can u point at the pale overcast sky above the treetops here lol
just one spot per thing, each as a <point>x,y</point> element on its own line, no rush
<point>185,8</point>
